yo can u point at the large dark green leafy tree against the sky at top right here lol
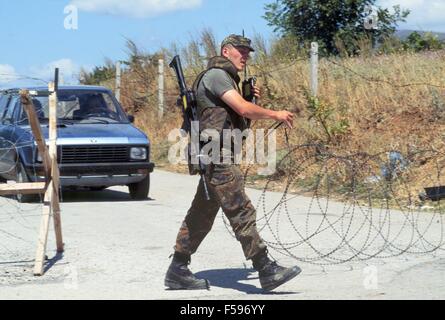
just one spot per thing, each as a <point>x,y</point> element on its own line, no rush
<point>327,21</point>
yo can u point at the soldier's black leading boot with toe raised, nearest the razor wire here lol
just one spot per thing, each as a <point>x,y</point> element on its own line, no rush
<point>271,274</point>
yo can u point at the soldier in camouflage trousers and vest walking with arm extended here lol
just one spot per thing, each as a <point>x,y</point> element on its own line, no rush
<point>221,106</point>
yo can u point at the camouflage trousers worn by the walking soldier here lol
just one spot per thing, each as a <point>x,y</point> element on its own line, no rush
<point>225,185</point>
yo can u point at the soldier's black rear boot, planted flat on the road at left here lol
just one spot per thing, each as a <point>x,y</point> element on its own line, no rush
<point>179,277</point>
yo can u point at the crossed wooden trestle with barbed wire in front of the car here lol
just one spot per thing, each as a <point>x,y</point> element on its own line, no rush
<point>49,189</point>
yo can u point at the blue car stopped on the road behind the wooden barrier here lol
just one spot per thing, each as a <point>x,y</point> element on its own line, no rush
<point>97,144</point>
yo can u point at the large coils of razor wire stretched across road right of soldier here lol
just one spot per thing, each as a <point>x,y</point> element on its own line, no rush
<point>327,209</point>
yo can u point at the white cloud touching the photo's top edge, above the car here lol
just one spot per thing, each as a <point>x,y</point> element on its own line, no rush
<point>134,8</point>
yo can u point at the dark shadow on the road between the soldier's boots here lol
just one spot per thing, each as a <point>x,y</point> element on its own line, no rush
<point>230,279</point>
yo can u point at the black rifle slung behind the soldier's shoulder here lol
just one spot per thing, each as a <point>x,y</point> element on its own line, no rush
<point>189,113</point>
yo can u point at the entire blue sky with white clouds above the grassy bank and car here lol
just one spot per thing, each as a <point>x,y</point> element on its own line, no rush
<point>35,40</point>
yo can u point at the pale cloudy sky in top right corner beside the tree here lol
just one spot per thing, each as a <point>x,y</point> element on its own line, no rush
<point>425,14</point>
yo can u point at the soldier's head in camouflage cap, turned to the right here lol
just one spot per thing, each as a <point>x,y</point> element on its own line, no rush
<point>237,49</point>
